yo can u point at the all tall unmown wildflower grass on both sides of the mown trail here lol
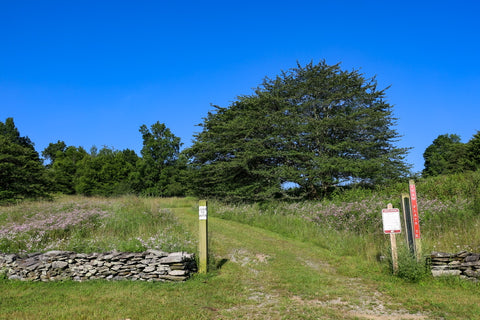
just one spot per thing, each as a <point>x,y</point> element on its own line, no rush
<point>348,223</point>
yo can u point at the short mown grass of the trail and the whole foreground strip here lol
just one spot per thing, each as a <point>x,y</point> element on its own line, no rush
<point>259,275</point>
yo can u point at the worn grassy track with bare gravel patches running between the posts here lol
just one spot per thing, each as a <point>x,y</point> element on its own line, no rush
<point>286,279</point>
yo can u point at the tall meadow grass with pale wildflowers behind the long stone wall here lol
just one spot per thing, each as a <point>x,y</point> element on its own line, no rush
<point>93,225</point>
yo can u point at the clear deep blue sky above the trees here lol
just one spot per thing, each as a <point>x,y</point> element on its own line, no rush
<point>92,72</point>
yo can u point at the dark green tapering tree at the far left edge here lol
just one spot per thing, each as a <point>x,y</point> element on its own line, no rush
<point>22,174</point>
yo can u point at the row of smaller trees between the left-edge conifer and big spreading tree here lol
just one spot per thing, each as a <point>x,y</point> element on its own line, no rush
<point>161,171</point>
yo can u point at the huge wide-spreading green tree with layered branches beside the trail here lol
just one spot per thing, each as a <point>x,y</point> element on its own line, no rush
<point>313,127</point>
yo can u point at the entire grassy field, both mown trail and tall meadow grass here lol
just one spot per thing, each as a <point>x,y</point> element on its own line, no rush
<point>310,260</point>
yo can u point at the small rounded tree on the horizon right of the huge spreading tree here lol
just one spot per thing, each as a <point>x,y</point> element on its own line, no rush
<point>445,155</point>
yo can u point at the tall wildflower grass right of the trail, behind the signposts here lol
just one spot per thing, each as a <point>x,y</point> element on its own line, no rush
<point>349,223</point>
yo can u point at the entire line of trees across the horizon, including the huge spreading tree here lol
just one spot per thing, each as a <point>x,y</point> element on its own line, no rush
<point>301,135</point>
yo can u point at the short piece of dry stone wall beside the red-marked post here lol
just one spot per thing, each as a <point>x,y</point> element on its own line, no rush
<point>464,264</point>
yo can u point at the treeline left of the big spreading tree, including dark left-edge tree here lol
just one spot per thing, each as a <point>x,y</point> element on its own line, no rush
<point>159,171</point>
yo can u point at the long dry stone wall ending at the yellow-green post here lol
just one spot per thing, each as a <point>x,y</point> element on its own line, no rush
<point>151,265</point>
